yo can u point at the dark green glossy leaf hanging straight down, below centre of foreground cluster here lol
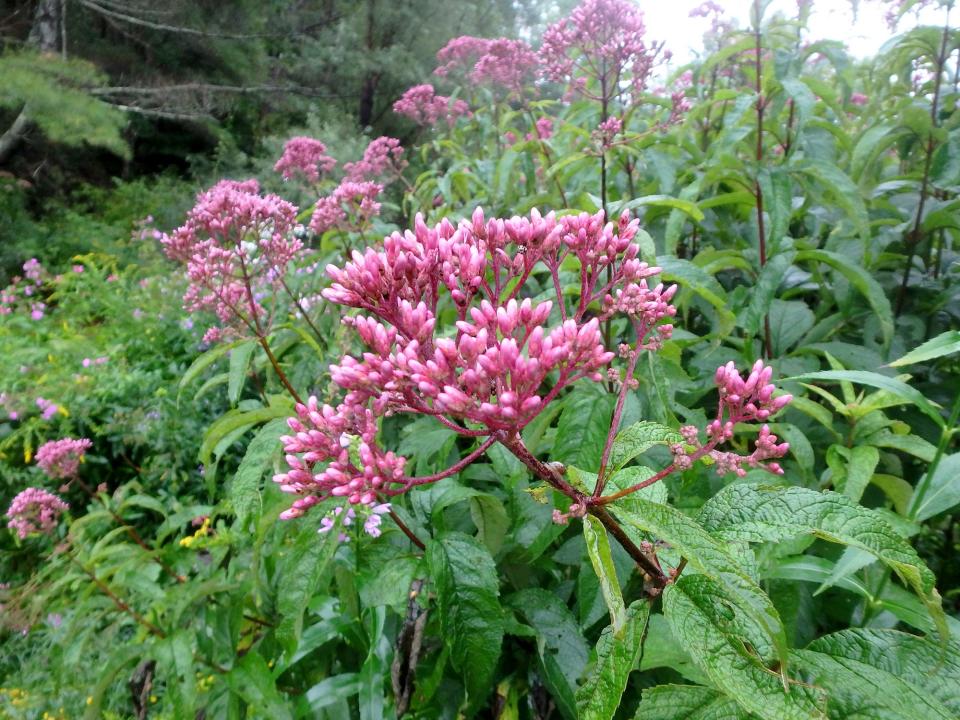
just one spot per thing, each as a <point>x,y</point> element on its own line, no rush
<point>465,578</point>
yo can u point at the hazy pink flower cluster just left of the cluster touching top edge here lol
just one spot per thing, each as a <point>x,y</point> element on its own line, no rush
<point>499,63</point>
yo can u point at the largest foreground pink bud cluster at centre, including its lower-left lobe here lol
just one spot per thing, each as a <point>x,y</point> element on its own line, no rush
<point>495,369</point>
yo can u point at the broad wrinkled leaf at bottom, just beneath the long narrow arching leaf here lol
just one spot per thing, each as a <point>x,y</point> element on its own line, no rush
<point>706,624</point>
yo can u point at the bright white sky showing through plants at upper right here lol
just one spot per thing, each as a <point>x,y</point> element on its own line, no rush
<point>830,19</point>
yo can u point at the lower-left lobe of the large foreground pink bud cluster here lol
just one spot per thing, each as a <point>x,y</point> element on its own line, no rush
<point>345,438</point>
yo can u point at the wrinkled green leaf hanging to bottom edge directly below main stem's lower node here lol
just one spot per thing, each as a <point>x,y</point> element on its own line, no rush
<point>617,654</point>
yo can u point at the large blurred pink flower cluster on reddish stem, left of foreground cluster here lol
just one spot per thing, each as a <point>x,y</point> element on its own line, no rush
<point>236,243</point>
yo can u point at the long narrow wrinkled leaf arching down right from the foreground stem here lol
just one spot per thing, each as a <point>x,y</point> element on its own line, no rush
<point>707,555</point>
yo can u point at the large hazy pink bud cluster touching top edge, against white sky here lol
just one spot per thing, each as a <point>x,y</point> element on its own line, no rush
<point>599,47</point>
